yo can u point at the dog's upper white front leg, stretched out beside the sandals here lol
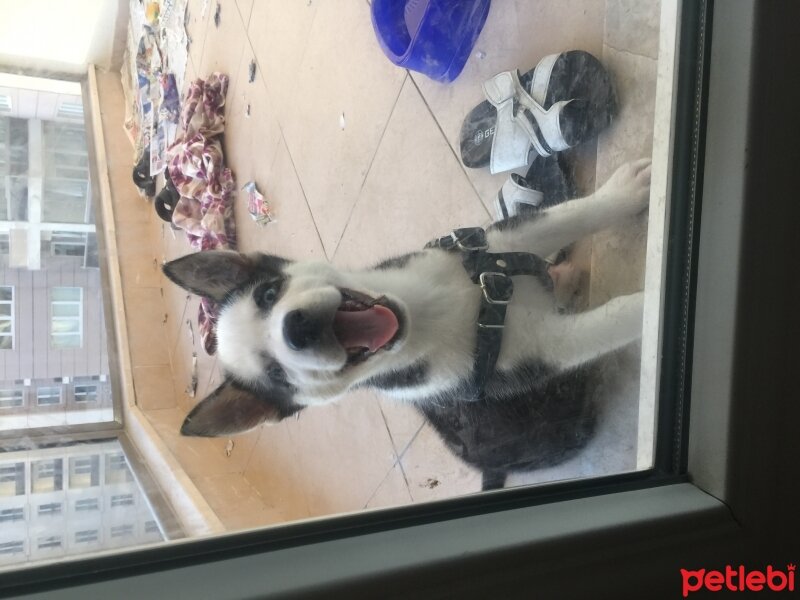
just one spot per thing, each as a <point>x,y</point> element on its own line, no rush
<point>624,195</point>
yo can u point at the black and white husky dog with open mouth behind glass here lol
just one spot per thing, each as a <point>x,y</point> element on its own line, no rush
<point>297,334</point>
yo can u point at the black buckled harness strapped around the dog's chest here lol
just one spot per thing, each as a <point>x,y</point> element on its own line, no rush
<point>493,272</point>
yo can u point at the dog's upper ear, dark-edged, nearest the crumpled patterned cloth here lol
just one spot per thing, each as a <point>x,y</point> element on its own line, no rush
<point>213,273</point>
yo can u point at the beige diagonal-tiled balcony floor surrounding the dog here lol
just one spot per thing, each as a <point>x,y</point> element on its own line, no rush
<point>385,182</point>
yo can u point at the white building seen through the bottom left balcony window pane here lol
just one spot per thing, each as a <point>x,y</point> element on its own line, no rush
<point>84,508</point>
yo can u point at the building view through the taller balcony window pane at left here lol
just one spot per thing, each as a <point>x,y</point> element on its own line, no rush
<point>49,263</point>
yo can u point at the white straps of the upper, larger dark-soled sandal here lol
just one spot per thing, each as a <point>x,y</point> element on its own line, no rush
<point>521,123</point>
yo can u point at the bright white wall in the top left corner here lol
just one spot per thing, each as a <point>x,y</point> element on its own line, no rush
<point>58,35</point>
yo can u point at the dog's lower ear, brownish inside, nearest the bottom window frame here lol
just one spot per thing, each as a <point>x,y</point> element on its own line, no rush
<point>231,409</point>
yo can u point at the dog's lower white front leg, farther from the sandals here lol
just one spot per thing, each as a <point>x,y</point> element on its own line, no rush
<point>576,339</point>
